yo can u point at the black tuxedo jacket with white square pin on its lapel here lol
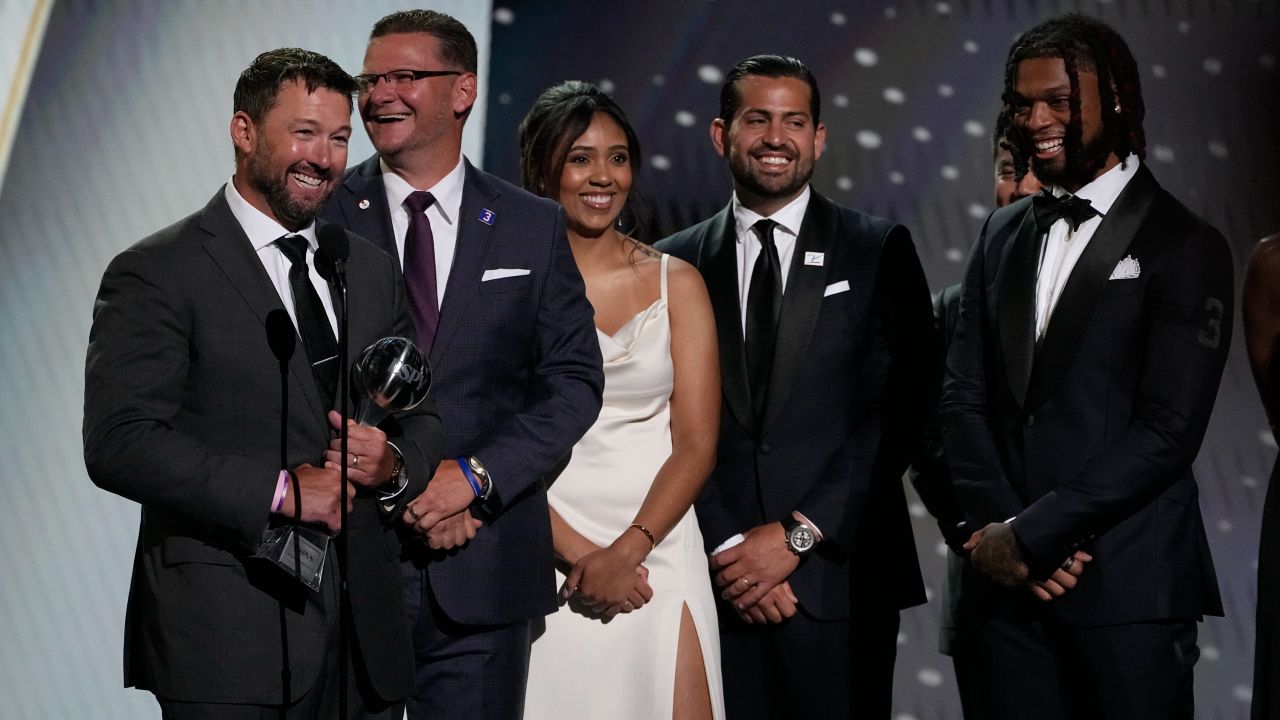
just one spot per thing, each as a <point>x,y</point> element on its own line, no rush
<point>839,359</point>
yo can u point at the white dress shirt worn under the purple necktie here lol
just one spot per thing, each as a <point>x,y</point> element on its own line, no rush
<point>444,216</point>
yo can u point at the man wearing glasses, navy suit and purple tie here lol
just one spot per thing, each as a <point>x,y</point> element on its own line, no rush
<point>499,302</point>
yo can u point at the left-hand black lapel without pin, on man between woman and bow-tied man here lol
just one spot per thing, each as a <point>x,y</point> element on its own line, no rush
<point>719,259</point>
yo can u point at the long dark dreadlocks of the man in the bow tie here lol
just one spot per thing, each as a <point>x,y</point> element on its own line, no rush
<point>1084,44</point>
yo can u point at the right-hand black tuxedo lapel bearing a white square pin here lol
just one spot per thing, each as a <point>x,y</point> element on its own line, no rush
<point>801,303</point>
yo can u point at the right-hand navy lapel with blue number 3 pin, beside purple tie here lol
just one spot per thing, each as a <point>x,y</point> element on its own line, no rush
<point>473,244</point>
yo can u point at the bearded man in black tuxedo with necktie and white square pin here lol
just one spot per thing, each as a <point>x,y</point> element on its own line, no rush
<point>824,322</point>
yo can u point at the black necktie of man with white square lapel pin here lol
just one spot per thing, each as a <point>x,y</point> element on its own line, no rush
<point>764,303</point>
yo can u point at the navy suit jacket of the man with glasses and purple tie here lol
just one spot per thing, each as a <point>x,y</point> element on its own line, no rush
<point>516,373</point>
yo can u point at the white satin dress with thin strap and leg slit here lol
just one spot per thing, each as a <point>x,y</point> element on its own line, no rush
<point>627,669</point>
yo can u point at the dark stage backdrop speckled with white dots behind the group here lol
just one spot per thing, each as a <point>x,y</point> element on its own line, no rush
<point>911,92</point>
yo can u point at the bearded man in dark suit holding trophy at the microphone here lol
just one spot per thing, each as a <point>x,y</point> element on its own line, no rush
<point>182,414</point>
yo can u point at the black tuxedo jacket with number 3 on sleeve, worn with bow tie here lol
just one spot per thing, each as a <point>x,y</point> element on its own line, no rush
<point>1090,438</point>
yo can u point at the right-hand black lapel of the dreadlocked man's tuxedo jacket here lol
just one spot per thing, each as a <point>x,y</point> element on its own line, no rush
<point>1090,277</point>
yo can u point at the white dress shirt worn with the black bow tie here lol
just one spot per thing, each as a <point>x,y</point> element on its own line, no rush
<point>1063,248</point>
